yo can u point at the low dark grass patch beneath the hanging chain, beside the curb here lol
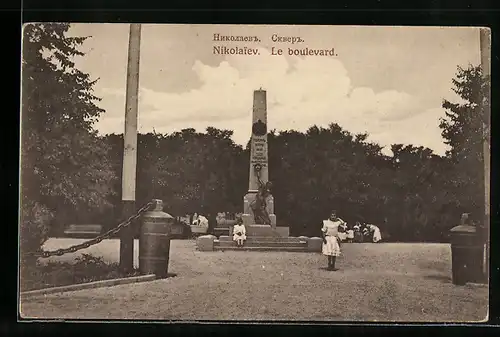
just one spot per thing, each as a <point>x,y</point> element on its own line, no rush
<point>86,268</point>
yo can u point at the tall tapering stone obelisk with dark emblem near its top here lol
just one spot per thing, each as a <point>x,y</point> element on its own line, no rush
<point>259,163</point>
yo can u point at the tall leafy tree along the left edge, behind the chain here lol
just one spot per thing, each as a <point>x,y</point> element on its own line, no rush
<point>64,165</point>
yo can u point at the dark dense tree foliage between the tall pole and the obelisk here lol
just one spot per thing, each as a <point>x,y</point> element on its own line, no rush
<point>188,170</point>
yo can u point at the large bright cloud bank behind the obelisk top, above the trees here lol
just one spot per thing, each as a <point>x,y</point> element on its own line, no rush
<point>301,92</point>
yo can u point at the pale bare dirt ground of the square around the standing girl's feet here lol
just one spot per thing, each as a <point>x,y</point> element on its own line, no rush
<point>375,282</point>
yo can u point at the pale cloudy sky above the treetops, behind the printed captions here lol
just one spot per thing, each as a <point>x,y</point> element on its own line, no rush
<point>387,81</point>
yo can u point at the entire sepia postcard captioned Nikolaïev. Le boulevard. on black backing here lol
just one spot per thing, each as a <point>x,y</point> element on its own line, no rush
<point>254,173</point>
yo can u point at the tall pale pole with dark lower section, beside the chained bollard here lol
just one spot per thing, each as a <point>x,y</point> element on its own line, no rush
<point>130,147</point>
